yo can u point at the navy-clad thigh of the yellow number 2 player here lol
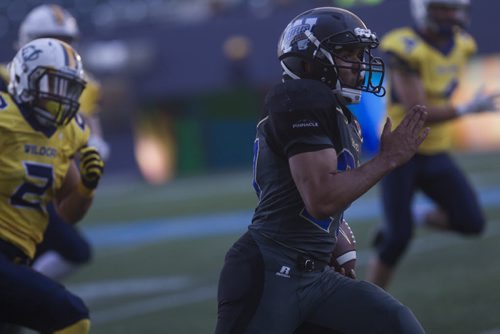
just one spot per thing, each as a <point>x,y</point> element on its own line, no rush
<point>30,299</point>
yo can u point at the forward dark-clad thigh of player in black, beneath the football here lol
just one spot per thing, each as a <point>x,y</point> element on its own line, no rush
<point>359,307</point>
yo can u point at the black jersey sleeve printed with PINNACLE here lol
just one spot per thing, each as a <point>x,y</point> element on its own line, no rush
<point>299,117</point>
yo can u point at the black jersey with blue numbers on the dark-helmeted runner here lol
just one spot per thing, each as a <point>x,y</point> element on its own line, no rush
<point>301,116</point>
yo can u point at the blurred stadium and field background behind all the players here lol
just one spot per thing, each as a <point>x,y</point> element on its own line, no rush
<point>183,83</point>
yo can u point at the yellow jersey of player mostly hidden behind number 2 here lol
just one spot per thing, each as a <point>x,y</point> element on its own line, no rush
<point>89,100</point>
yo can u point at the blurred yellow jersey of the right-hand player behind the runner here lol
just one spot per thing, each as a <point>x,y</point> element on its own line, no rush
<point>439,71</point>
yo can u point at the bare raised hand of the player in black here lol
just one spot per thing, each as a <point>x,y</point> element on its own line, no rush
<point>398,146</point>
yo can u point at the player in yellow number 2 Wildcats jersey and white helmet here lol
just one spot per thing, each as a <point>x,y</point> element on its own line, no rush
<point>40,134</point>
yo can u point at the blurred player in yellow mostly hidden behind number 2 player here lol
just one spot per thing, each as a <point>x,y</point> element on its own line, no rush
<point>64,249</point>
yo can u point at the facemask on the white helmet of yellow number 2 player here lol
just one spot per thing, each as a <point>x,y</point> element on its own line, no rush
<point>54,96</point>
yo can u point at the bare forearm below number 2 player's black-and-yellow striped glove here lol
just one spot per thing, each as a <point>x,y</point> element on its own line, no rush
<point>75,205</point>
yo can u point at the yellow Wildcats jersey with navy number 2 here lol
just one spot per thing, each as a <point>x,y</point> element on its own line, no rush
<point>33,166</point>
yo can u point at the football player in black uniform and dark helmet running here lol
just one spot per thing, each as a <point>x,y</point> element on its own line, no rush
<point>276,278</point>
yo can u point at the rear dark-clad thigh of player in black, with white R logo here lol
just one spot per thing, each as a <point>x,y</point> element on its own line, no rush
<point>254,296</point>
